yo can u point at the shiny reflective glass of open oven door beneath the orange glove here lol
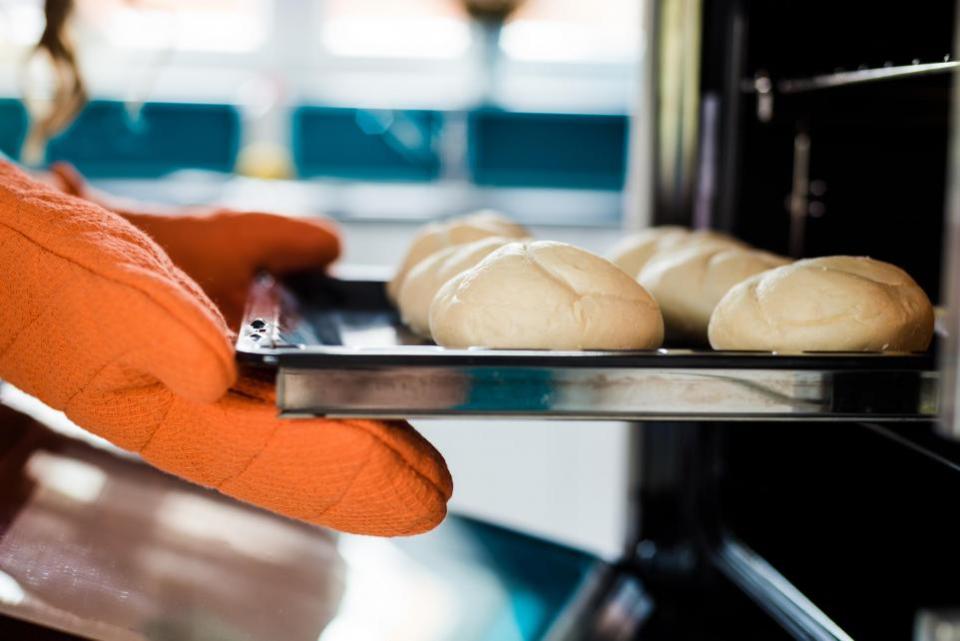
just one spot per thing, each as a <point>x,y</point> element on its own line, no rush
<point>108,548</point>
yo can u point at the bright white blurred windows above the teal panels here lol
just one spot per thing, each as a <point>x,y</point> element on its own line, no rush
<point>554,55</point>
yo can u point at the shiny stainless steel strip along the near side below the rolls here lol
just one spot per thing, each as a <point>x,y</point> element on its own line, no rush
<point>606,394</point>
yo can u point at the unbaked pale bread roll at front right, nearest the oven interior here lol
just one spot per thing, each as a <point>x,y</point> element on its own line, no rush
<point>836,303</point>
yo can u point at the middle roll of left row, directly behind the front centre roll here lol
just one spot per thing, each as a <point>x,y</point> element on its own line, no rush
<point>430,274</point>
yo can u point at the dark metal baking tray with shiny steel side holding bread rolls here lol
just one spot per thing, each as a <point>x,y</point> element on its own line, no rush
<point>339,349</point>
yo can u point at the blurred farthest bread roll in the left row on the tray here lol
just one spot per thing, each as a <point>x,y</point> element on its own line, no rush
<point>457,231</point>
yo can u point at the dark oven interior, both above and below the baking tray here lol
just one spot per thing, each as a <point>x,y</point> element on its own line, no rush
<point>820,128</point>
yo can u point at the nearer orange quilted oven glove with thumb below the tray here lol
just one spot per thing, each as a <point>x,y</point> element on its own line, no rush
<point>96,320</point>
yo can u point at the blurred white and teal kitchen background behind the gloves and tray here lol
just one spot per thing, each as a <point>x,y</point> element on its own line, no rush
<point>382,114</point>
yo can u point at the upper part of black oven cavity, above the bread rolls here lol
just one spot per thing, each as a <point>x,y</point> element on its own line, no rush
<point>824,128</point>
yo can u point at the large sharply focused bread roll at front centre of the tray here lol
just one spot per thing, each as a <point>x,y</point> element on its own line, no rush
<point>545,295</point>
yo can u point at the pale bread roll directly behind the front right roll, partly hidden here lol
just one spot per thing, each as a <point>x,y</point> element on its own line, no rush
<point>689,282</point>
